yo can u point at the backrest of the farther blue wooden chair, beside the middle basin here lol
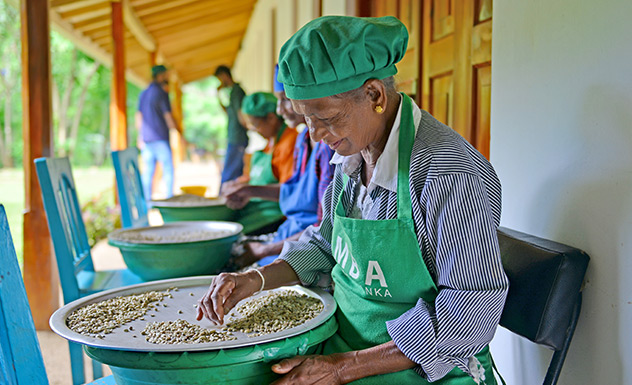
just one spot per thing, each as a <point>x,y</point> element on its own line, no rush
<point>130,188</point>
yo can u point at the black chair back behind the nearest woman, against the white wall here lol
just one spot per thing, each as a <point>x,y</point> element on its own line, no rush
<point>544,298</point>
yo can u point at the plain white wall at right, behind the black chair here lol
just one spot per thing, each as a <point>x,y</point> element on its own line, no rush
<point>562,146</point>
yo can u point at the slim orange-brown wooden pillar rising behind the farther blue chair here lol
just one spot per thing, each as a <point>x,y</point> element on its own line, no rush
<point>118,102</point>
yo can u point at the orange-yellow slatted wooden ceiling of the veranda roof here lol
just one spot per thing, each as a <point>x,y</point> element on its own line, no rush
<point>192,37</point>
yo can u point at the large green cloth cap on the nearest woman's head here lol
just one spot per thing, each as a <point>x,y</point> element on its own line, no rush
<point>335,54</point>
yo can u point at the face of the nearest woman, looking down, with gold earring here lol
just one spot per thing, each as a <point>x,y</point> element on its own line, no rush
<point>348,124</point>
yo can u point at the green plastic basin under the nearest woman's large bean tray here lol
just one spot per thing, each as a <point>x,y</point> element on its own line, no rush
<point>244,366</point>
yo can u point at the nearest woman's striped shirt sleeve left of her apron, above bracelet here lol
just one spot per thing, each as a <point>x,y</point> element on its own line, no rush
<point>310,257</point>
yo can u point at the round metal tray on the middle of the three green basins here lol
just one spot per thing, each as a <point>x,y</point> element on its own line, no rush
<point>169,229</point>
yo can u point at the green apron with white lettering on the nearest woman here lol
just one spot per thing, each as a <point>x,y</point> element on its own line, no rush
<point>380,274</point>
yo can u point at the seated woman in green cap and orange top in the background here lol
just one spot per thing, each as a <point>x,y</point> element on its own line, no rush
<point>259,209</point>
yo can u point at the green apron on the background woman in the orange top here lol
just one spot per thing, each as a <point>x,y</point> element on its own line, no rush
<point>260,212</point>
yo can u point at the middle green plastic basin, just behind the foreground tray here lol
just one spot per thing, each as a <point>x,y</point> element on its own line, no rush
<point>154,261</point>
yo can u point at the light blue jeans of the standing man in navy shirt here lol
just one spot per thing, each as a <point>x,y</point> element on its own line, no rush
<point>158,151</point>
